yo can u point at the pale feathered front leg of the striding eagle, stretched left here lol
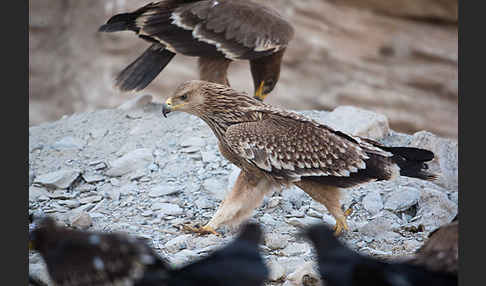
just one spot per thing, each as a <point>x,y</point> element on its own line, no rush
<point>246,195</point>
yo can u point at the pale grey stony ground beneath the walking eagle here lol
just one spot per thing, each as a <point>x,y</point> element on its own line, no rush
<point>131,170</point>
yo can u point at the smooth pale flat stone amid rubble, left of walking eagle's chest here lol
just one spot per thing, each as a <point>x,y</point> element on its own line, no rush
<point>132,161</point>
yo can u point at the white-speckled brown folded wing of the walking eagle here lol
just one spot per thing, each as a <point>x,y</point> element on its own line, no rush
<point>287,146</point>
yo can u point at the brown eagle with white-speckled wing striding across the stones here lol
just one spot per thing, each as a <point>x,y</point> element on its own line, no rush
<point>274,147</point>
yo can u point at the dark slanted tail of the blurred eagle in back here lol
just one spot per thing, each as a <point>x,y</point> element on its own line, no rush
<point>144,69</point>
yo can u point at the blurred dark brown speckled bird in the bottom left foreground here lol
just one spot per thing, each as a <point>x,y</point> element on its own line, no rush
<point>76,257</point>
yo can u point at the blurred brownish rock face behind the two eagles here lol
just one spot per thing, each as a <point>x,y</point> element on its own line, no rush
<point>395,57</point>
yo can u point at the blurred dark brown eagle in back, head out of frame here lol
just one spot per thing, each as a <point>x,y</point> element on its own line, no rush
<point>216,31</point>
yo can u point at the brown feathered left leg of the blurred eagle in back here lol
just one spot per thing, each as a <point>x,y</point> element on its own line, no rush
<point>214,69</point>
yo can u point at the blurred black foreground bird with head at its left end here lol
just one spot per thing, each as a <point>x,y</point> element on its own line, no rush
<point>341,266</point>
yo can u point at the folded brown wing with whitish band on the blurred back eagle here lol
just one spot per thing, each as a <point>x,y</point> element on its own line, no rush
<point>236,29</point>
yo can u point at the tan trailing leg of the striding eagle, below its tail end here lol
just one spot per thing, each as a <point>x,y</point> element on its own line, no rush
<point>329,197</point>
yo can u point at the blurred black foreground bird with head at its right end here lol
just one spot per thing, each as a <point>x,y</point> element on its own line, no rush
<point>237,264</point>
